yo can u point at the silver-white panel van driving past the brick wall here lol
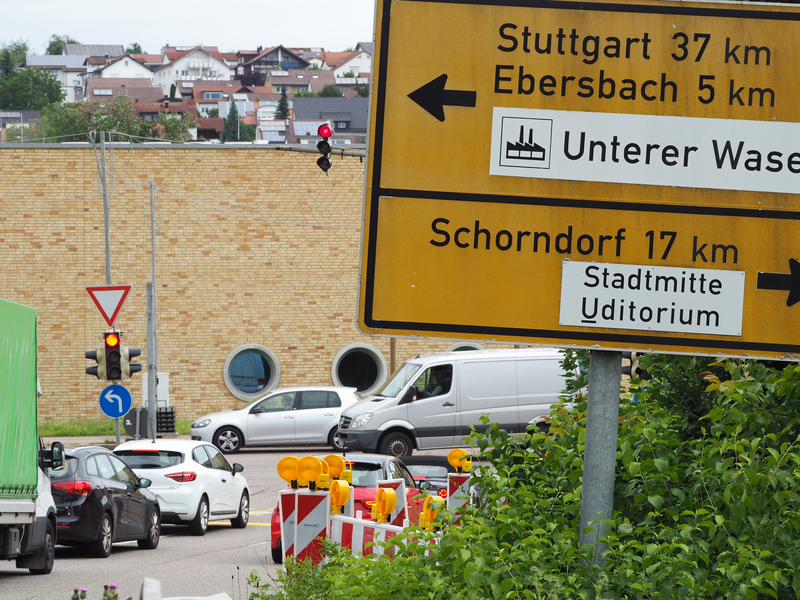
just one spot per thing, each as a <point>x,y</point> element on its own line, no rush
<point>431,401</point>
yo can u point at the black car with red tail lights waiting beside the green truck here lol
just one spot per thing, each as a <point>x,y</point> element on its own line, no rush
<point>100,501</point>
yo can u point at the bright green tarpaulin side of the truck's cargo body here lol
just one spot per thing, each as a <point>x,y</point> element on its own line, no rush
<point>19,439</point>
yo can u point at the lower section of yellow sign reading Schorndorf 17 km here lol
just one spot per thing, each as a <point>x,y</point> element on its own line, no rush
<point>495,270</point>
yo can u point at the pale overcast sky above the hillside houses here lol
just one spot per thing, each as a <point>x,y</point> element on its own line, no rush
<point>242,25</point>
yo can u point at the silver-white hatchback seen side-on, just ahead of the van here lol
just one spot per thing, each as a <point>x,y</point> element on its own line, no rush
<point>302,416</point>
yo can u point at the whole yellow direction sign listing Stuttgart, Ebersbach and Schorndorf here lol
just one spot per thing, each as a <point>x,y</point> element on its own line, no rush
<point>601,175</point>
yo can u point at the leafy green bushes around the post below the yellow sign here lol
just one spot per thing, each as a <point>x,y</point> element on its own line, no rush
<point>709,516</point>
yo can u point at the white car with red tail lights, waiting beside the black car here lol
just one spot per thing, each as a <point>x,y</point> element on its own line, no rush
<point>193,481</point>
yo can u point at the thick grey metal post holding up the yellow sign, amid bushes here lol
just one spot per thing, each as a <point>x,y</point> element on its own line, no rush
<point>600,451</point>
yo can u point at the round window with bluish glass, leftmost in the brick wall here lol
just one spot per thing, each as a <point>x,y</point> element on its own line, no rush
<point>251,371</point>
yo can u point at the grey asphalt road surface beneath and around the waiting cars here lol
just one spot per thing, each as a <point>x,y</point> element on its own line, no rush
<point>185,565</point>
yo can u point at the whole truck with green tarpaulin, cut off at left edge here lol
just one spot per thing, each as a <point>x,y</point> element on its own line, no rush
<point>27,510</point>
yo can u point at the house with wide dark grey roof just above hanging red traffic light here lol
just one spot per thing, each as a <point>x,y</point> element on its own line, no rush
<point>349,117</point>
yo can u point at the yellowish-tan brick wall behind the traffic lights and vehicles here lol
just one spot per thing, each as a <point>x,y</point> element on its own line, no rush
<point>253,246</point>
